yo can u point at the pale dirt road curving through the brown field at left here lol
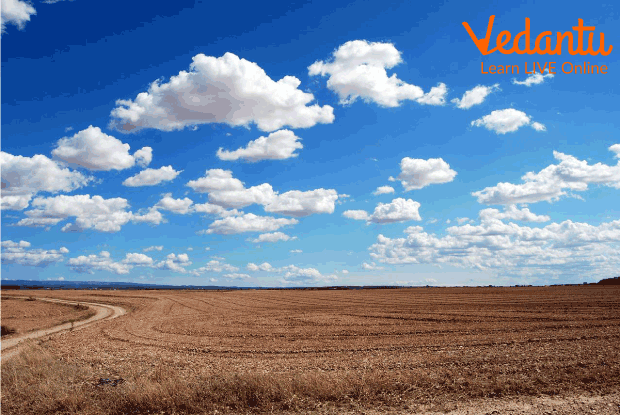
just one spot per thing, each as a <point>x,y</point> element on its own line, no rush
<point>103,311</point>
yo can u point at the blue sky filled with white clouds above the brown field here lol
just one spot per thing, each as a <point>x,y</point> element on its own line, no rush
<point>304,143</point>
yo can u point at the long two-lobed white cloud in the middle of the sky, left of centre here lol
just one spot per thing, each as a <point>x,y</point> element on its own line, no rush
<point>226,191</point>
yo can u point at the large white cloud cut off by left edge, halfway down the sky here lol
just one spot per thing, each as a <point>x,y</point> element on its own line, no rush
<point>24,177</point>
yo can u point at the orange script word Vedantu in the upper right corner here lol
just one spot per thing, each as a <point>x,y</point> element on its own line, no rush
<point>503,39</point>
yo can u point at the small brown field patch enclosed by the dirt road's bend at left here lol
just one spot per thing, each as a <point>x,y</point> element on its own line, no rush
<point>22,315</point>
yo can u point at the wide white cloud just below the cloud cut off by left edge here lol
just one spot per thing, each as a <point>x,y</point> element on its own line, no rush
<point>105,215</point>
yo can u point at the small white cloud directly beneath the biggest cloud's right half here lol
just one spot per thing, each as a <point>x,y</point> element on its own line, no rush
<point>279,145</point>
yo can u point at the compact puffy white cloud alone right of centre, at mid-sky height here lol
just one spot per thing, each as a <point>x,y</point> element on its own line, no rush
<point>419,173</point>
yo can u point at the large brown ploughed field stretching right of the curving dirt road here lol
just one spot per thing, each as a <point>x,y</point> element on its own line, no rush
<point>329,351</point>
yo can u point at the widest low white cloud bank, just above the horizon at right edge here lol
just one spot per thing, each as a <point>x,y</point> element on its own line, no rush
<point>568,249</point>
